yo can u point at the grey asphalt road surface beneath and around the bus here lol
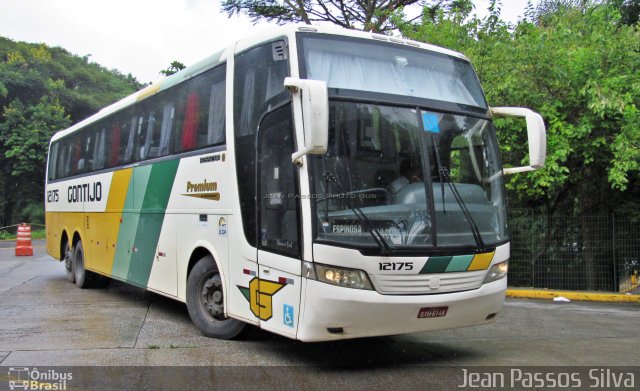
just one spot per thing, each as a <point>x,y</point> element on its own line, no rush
<point>45,320</point>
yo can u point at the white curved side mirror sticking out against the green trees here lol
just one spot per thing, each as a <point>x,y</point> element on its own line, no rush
<point>535,132</point>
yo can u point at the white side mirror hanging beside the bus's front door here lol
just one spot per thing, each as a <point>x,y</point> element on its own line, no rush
<point>314,101</point>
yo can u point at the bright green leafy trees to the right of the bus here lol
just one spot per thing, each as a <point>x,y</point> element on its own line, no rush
<point>577,65</point>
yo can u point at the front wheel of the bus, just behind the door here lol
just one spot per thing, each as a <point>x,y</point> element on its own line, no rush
<point>205,301</point>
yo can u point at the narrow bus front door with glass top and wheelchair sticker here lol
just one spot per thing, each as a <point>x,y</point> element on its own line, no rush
<point>279,265</point>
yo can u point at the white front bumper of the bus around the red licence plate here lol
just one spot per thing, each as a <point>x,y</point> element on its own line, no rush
<point>332,313</point>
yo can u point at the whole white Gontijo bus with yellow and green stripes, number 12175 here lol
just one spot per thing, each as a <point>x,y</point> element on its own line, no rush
<point>316,182</point>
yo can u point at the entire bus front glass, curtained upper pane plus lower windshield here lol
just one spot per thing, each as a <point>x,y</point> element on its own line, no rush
<point>403,176</point>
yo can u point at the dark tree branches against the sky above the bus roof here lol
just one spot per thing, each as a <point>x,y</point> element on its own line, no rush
<point>367,15</point>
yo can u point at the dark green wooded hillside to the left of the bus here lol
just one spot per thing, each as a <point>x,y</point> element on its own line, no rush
<point>43,90</point>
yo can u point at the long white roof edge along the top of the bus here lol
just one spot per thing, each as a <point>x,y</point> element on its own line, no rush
<point>243,44</point>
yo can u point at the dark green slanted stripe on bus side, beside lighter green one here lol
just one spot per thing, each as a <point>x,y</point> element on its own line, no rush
<point>154,205</point>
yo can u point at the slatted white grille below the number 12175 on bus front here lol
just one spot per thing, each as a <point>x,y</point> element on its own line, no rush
<point>420,284</point>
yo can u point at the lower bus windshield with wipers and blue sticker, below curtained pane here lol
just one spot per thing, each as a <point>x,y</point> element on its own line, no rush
<point>413,177</point>
